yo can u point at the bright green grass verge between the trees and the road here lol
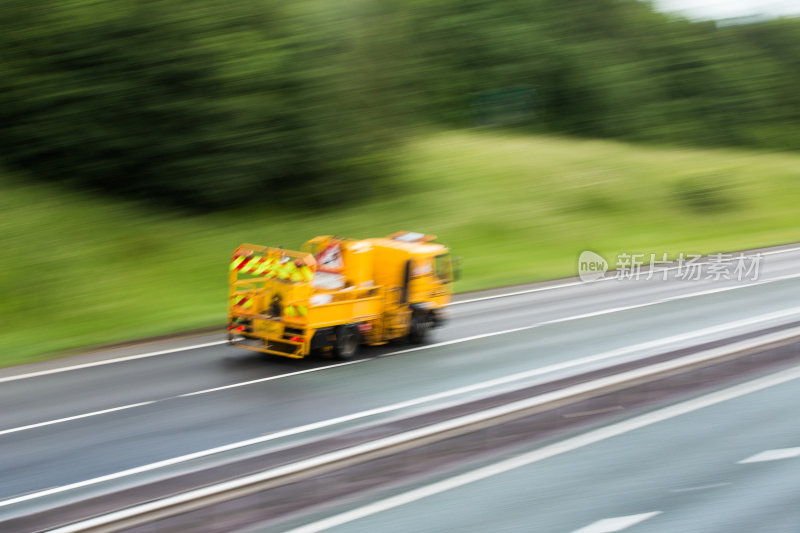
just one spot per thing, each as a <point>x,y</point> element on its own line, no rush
<point>79,271</point>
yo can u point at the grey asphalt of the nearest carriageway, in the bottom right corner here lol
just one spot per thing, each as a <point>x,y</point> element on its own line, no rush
<point>687,469</point>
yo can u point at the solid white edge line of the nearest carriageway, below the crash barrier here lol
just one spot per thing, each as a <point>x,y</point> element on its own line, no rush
<point>552,450</point>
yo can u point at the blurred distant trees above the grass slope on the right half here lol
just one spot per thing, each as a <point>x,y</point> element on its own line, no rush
<point>614,68</point>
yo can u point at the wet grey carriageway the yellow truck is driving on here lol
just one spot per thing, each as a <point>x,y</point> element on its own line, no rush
<point>104,420</point>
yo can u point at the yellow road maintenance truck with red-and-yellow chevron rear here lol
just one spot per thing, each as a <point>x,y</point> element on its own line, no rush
<point>336,294</point>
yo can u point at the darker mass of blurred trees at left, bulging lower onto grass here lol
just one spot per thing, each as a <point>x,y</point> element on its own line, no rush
<point>202,104</point>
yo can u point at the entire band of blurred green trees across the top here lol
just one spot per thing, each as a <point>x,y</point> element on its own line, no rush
<point>214,103</point>
